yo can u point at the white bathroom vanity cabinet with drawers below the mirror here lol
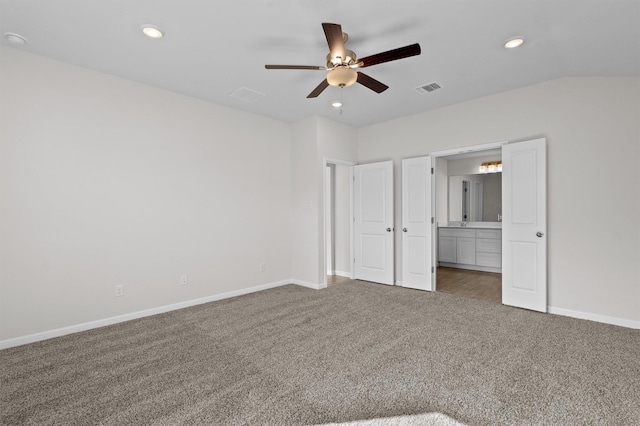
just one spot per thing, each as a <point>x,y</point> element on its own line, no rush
<point>470,248</point>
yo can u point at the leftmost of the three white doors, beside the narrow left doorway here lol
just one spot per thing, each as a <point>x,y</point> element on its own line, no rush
<point>373,230</point>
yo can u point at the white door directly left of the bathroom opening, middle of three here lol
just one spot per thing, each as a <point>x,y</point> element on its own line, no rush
<point>416,223</point>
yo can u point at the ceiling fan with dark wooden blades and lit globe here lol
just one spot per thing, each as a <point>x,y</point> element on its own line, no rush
<point>342,63</point>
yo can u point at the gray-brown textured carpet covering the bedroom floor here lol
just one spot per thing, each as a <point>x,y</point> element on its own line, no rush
<point>357,352</point>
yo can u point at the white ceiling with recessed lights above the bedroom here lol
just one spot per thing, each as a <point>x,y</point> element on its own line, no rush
<point>211,48</point>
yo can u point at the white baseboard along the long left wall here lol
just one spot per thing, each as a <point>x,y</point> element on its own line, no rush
<point>36,337</point>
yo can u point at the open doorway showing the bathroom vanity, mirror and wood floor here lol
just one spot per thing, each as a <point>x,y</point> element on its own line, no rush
<point>468,233</point>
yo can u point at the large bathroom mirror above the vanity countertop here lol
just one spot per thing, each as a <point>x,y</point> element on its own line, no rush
<point>475,198</point>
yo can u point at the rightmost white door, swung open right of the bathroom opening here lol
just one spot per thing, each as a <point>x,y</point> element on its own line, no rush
<point>524,225</point>
